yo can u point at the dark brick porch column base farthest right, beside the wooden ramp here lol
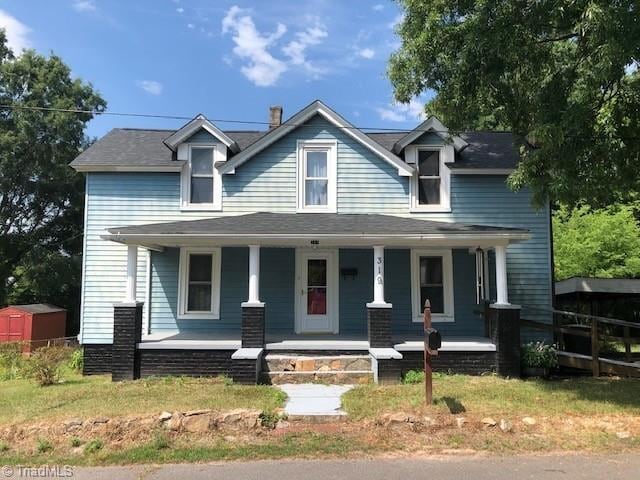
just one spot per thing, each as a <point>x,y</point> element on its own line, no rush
<point>505,333</point>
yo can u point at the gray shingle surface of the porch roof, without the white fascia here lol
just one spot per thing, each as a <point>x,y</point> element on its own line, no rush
<point>310,224</point>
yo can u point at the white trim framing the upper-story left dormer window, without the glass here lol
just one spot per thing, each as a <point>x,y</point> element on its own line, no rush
<point>219,155</point>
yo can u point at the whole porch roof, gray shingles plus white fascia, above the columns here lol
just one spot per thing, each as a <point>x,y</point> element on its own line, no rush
<point>286,228</point>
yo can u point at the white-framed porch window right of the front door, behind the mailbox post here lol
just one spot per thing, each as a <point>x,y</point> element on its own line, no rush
<point>432,278</point>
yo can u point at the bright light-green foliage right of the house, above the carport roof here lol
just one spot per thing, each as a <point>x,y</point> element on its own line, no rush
<point>596,243</point>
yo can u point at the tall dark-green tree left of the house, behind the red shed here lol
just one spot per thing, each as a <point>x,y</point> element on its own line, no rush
<point>41,198</point>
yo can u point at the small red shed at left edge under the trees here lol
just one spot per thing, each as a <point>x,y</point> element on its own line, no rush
<point>34,324</point>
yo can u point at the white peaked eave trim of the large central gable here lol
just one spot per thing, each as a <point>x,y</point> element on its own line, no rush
<point>316,108</point>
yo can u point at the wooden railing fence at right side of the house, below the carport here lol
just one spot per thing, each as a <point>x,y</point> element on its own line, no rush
<point>595,332</point>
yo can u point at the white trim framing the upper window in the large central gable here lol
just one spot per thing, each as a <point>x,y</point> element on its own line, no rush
<point>332,167</point>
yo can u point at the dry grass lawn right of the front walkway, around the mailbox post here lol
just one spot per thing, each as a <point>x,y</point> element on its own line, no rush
<point>495,396</point>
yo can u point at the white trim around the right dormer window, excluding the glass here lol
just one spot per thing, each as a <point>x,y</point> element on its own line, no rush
<point>447,155</point>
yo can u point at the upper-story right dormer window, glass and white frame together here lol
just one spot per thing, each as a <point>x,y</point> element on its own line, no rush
<point>430,184</point>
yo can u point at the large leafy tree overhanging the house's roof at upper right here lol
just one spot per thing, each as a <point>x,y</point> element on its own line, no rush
<point>560,74</point>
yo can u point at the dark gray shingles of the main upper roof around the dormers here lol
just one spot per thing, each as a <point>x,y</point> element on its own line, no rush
<point>123,147</point>
